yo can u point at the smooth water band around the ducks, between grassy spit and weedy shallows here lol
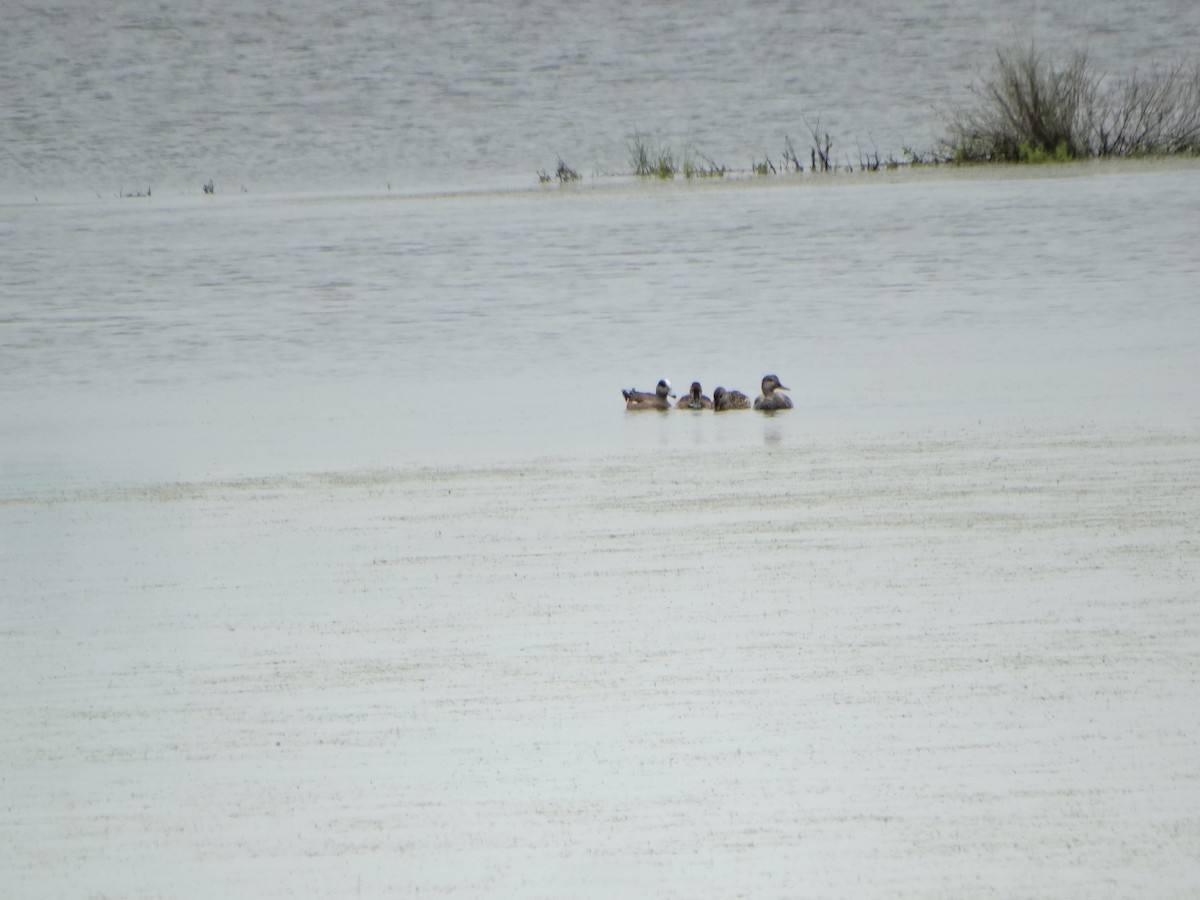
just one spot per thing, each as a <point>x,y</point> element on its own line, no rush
<point>245,335</point>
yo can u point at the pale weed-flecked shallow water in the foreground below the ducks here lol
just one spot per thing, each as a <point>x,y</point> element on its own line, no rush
<point>925,667</point>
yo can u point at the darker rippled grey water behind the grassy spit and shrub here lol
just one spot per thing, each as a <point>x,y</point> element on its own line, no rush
<point>129,95</point>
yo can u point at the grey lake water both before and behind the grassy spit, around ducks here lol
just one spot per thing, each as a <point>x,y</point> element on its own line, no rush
<point>345,308</point>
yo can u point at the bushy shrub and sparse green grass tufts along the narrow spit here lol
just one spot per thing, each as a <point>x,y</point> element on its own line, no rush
<point>1030,110</point>
